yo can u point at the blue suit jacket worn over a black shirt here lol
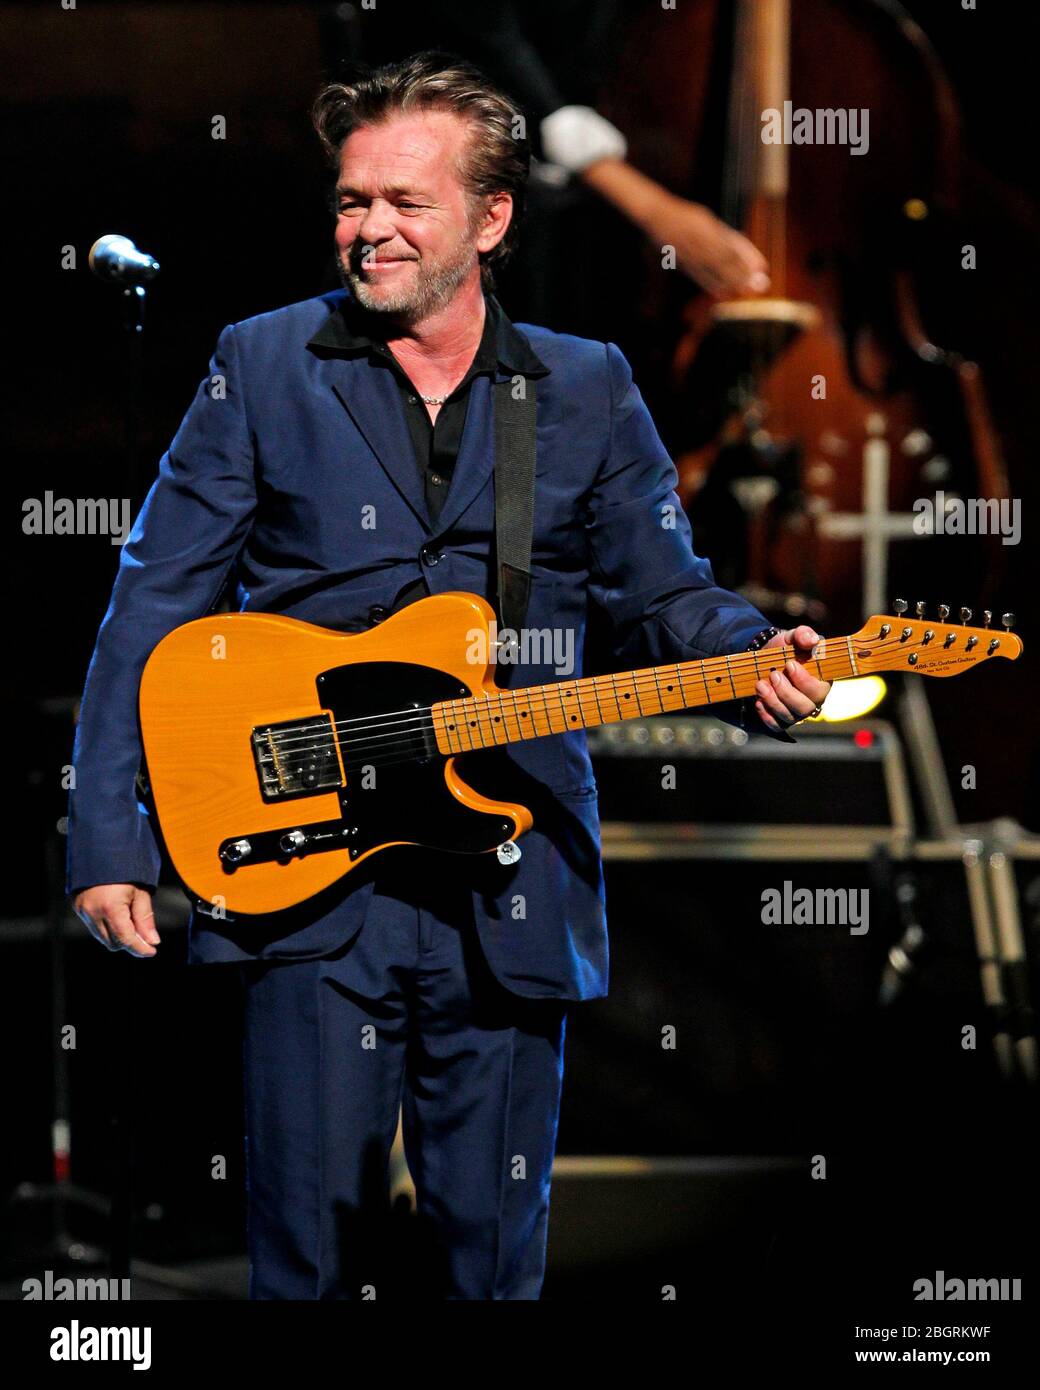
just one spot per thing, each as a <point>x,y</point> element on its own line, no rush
<point>295,475</point>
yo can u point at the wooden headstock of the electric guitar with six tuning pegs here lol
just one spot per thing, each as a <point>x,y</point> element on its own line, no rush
<point>902,644</point>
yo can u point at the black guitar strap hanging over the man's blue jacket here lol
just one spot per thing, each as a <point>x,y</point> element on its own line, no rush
<point>515,457</point>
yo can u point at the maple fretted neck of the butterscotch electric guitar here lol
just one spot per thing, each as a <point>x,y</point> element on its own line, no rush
<point>505,717</point>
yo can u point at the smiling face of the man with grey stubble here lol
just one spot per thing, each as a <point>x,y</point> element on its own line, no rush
<point>408,231</point>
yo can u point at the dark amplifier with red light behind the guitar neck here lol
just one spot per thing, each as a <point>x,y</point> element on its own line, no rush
<point>699,771</point>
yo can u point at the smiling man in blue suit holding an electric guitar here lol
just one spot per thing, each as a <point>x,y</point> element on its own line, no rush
<point>340,462</point>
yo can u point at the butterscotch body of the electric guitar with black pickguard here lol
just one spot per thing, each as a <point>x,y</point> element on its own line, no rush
<point>261,730</point>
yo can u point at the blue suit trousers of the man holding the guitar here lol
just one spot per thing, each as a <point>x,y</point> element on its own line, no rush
<point>405,1017</point>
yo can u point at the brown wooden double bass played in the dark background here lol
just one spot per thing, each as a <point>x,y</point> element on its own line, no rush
<point>810,422</point>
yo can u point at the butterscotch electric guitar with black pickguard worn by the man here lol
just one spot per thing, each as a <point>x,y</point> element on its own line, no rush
<point>282,755</point>
